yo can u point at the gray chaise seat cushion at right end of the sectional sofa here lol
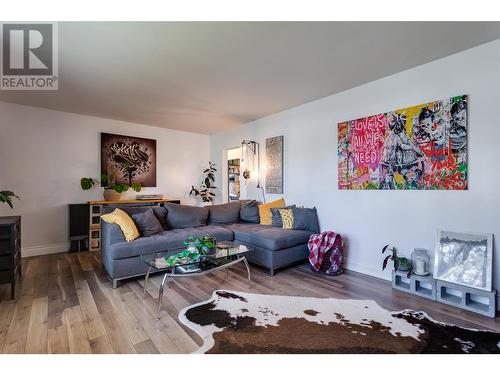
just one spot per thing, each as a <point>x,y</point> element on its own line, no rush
<point>268,237</point>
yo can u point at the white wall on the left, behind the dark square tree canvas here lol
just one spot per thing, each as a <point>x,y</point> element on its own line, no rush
<point>44,153</point>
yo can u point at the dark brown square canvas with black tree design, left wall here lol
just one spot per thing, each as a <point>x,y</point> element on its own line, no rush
<point>128,160</point>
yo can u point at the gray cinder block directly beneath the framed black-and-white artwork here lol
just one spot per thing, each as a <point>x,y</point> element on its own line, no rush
<point>475,300</point>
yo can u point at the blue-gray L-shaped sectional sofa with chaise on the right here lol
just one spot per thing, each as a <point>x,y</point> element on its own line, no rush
<point>273,247</point>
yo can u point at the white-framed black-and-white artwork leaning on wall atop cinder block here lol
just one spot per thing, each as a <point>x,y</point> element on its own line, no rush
<point>464,258</point>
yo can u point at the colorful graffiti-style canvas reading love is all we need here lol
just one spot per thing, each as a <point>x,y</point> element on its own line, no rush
<point>423,147</point>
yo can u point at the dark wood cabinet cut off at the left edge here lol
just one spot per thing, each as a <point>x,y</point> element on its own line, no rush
<point>10,251</point>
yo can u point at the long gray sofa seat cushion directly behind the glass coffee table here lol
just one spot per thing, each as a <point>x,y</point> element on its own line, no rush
<point>169,240</point>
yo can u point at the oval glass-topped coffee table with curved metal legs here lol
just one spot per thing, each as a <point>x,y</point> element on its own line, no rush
<point>226,256</point>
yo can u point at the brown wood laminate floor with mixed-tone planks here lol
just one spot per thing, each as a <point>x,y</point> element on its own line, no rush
<point>65,304</point>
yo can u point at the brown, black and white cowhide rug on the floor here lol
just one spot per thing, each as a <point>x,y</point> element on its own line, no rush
<point>236,322</point>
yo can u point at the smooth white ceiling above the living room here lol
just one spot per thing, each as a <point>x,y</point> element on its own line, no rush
<point>210,76</point>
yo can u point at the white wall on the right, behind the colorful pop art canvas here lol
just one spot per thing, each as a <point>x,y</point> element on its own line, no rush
<point>408,219</point>
